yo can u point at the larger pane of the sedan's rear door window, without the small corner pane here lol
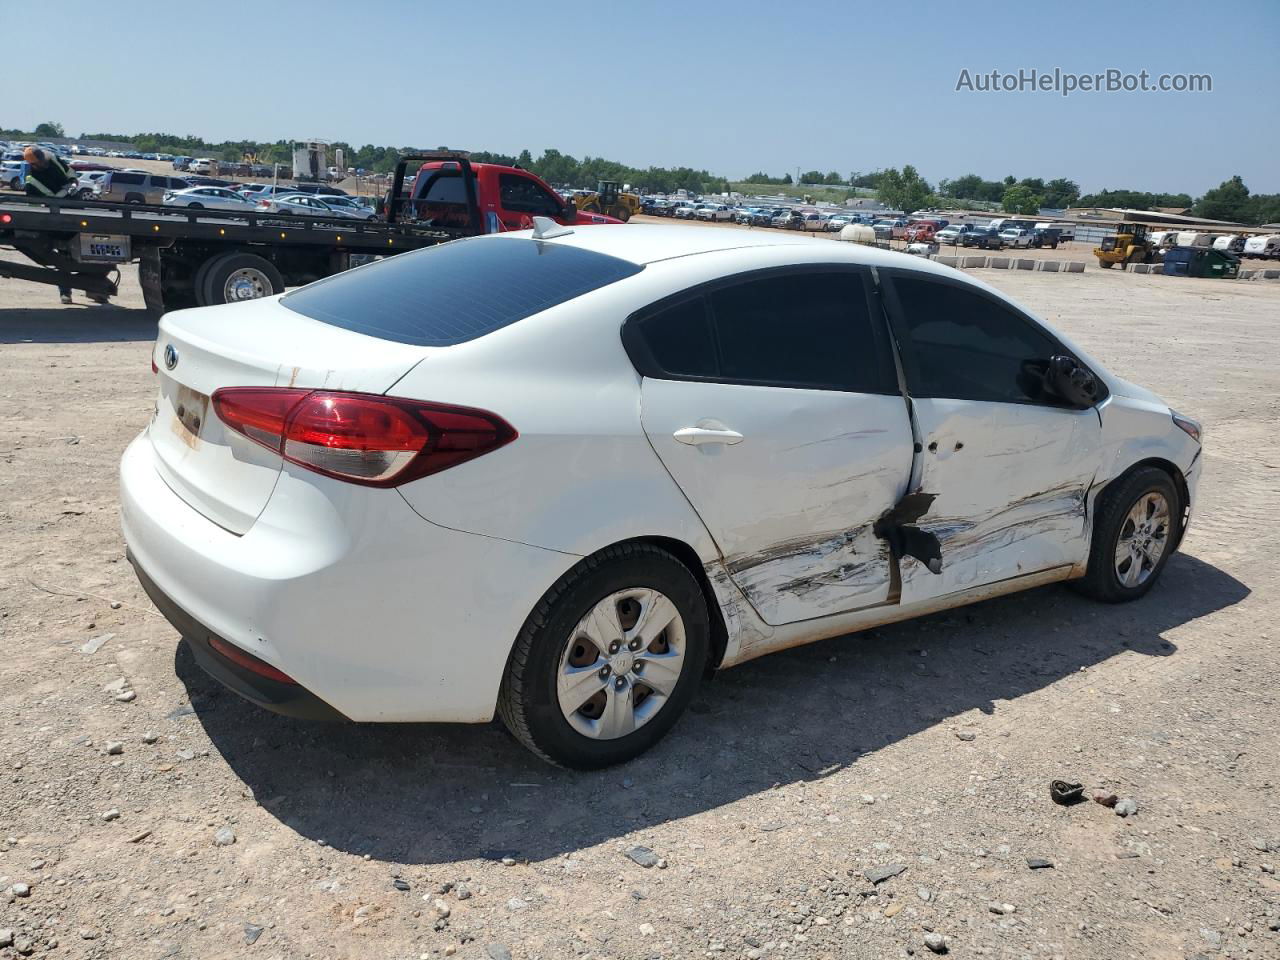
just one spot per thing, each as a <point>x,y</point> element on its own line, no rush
<point>798,330</point>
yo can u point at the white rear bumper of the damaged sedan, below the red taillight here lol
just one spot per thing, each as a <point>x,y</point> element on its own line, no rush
<point>377,612</point>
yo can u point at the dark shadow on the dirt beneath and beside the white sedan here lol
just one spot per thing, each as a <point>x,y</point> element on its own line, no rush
<point>426,794</point>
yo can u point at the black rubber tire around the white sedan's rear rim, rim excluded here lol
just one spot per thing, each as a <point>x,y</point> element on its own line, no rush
<point>528,702</point>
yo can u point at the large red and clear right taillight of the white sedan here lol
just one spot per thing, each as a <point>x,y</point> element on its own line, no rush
<point>359,437</point>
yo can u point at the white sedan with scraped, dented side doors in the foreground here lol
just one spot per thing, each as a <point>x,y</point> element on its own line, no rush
<point>561,476</point>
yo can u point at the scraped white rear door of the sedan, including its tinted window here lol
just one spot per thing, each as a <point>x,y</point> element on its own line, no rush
<point>774,405</point>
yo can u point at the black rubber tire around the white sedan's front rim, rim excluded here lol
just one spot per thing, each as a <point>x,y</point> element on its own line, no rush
<point>1103,582</point>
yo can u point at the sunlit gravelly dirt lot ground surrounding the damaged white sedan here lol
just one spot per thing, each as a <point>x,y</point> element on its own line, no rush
<point>789,780</point>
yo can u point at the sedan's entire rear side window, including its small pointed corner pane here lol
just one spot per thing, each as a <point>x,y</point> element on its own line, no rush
<point>801,330</point>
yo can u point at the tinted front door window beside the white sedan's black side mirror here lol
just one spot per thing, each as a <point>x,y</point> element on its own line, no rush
<point>970,348</point>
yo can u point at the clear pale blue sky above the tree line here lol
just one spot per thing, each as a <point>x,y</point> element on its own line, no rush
<point>730,86</point>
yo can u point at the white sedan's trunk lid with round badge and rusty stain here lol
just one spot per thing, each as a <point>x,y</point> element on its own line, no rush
<point>220,473</point>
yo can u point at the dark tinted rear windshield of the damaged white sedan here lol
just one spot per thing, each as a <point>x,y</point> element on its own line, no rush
<point>456,292</point>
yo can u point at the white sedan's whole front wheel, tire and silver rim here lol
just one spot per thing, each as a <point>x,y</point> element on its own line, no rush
<point>1137,525</point>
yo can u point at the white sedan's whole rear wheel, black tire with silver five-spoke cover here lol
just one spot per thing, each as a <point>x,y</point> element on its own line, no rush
<point>609,660</point>
